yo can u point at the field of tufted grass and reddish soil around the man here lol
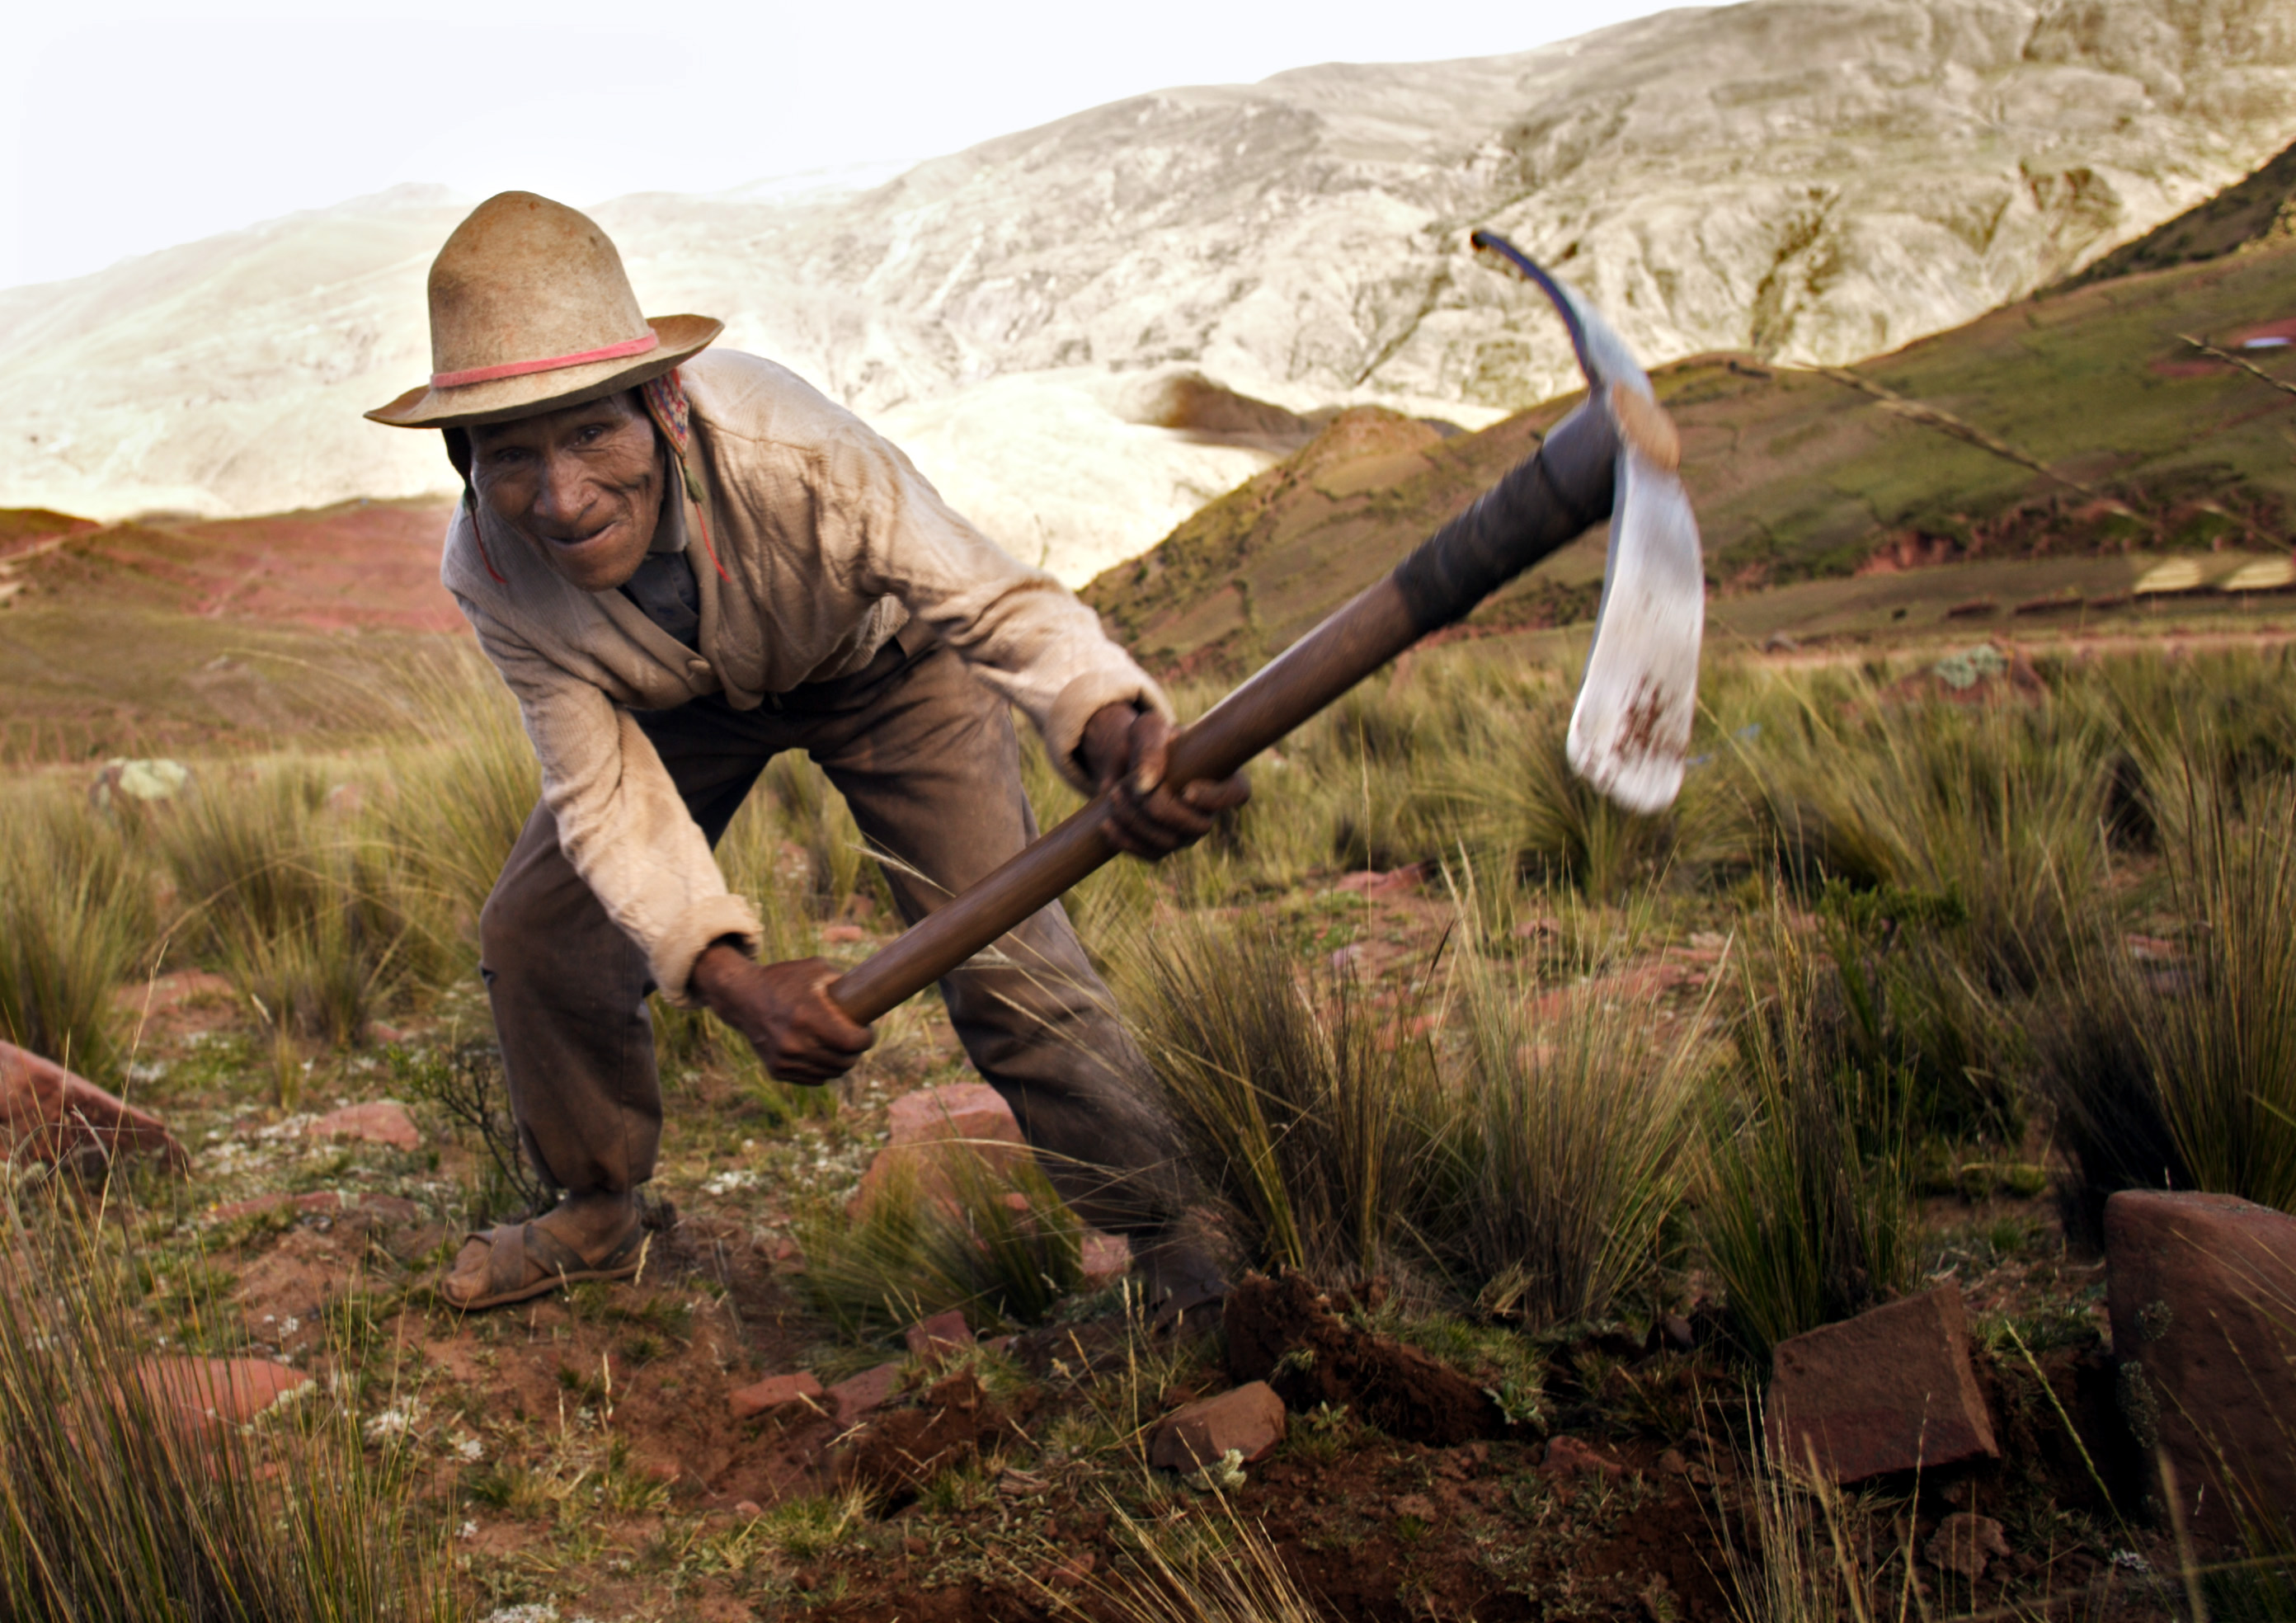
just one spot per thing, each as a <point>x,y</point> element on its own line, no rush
<point>1861,991</point>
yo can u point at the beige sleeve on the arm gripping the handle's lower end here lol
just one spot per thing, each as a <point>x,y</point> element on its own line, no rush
<point>621,821</point>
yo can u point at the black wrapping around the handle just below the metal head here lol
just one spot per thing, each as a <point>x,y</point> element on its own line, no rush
<point>1546,502</point>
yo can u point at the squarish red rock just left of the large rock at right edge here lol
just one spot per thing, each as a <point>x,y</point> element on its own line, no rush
<point>1886,1392</point>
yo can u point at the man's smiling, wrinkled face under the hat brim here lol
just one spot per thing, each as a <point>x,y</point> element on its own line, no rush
<point>580,486</point>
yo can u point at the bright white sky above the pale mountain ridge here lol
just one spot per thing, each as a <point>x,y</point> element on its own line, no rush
<point>134,127</point>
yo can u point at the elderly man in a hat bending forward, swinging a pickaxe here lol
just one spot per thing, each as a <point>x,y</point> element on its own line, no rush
<point>685,564</point>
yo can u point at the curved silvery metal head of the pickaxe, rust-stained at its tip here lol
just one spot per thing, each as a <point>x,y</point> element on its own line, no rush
<point>1631,727</point>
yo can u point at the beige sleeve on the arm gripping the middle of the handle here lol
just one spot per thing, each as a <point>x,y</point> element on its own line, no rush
<point>1023,632</point>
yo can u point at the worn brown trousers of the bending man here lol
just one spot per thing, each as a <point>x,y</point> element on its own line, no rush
<point>931,768</point>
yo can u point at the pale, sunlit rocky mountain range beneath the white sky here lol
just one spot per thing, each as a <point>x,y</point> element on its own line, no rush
<point>1810,180</point>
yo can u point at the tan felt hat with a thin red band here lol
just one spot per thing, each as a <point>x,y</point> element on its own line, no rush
<point>532,311</point>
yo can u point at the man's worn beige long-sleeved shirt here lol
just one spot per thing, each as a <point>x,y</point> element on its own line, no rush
<point>830,543</point>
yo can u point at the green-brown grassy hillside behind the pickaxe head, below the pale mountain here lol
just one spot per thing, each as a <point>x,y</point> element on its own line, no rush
<point>1921,458</point>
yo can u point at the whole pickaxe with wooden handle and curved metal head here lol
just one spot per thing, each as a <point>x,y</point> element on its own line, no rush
<point>1611,458</point>
